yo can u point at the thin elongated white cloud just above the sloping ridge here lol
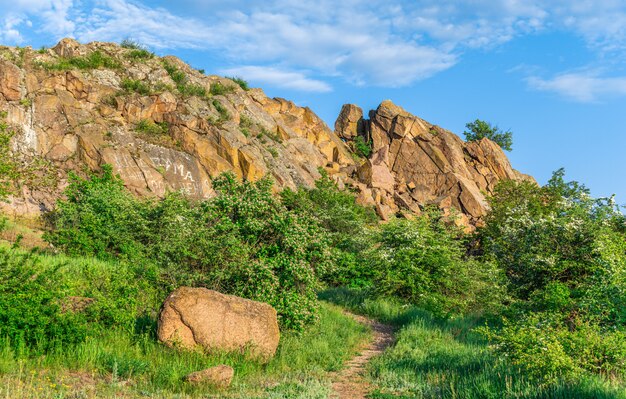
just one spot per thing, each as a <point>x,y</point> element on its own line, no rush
<point>279,78</point>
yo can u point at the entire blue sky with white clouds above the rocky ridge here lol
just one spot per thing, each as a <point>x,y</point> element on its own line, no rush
<point>552,71</point>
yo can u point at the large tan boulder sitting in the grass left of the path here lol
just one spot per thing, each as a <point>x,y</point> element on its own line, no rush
<point>198,316</point>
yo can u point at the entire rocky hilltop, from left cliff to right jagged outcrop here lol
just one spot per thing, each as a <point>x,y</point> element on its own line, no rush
<point>163,125</point>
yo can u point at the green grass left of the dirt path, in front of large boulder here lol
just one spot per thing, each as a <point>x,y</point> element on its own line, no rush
<point>299,368</point>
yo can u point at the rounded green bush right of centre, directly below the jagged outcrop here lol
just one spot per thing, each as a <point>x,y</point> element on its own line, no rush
<point>421,261</point>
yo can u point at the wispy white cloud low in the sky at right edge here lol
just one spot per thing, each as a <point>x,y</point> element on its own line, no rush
<point>583,87</point>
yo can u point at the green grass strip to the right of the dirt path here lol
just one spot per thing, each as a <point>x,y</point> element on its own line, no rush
<point>436,358</point>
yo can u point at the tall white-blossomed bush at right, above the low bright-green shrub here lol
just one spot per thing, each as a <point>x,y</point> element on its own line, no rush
<point>561,249</point>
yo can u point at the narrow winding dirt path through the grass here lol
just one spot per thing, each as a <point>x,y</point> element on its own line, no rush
<point>349,382</point>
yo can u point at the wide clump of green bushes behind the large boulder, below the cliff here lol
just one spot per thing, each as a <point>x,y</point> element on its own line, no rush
<point>243,241</point>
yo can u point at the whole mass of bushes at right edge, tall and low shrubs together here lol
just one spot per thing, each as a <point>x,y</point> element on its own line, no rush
<point>564,255</point>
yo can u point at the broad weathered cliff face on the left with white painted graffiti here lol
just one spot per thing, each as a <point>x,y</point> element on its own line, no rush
<point>84,117</point>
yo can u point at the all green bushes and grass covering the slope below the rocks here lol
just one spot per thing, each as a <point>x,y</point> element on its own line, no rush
<point>532,305</point>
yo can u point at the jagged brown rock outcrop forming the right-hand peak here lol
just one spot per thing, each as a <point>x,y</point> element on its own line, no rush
<point>415,163</point>
